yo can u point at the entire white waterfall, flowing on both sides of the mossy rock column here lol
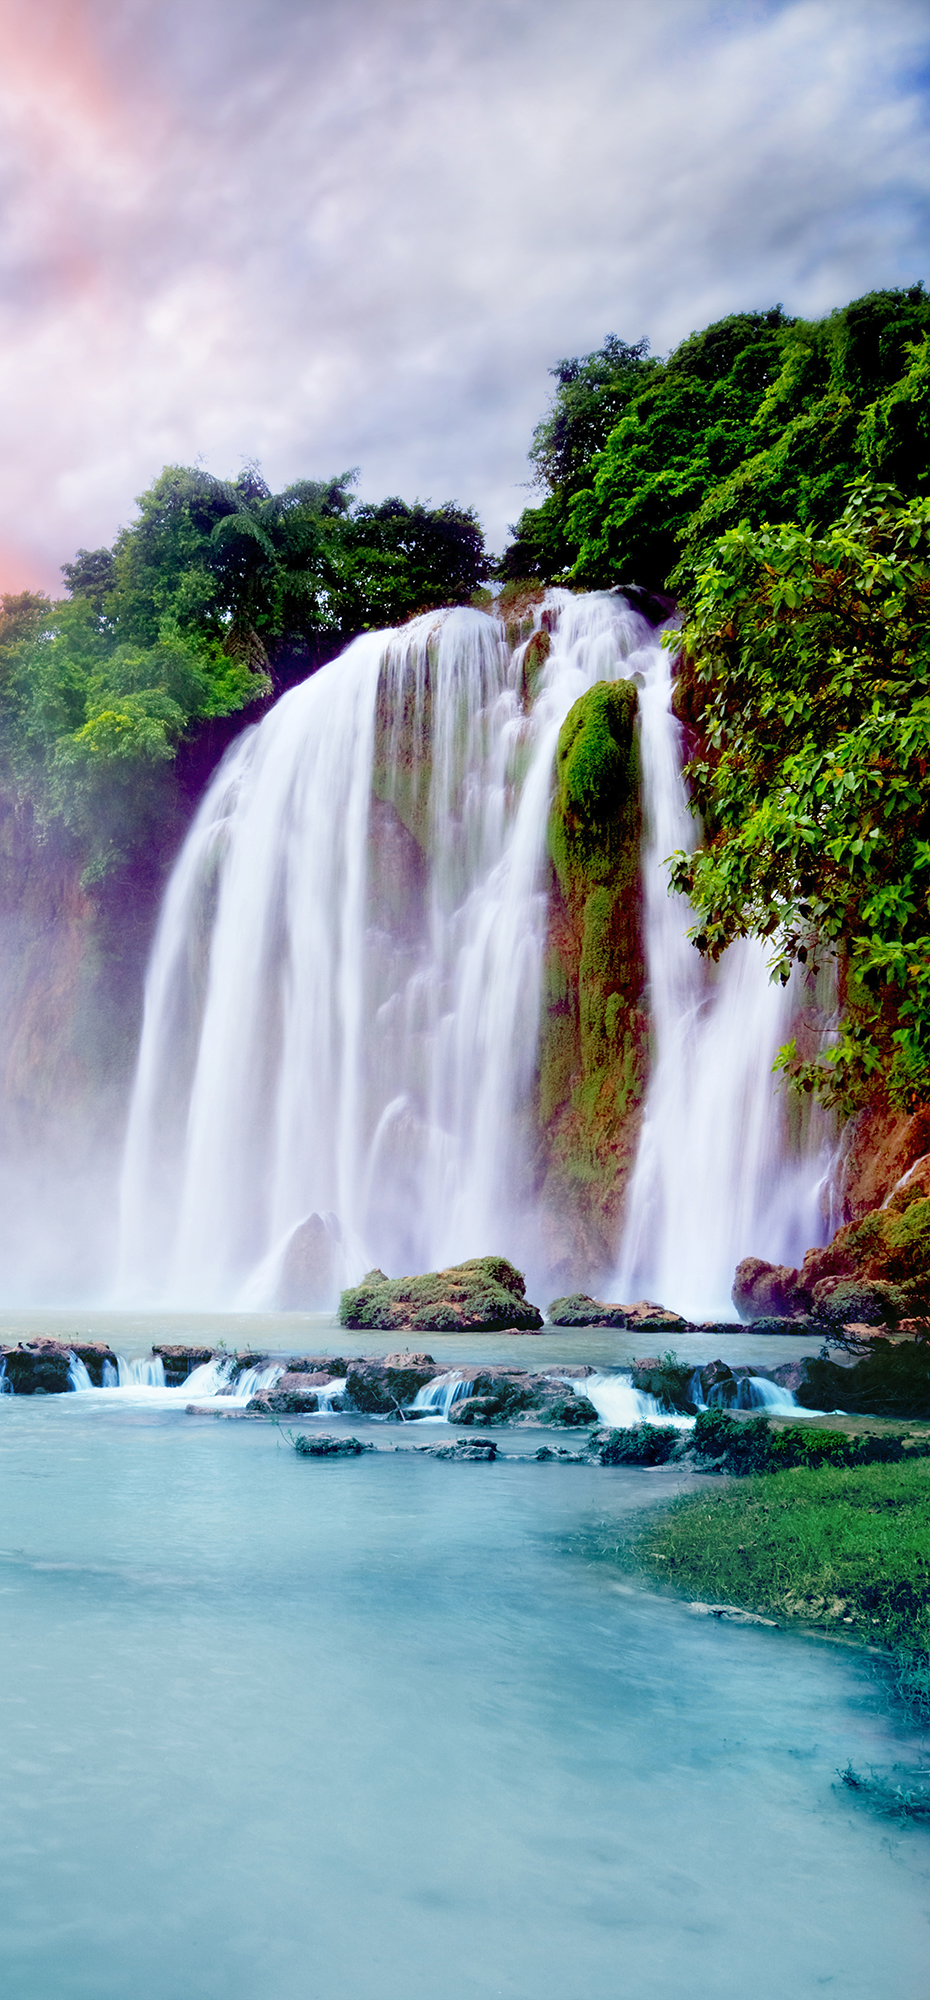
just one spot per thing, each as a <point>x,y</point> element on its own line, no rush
<point>345,995</point>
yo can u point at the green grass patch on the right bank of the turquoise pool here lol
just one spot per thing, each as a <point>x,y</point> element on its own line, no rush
<point>837,1547</point>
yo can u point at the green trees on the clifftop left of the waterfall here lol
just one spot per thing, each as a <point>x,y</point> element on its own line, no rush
<point>213,599</point>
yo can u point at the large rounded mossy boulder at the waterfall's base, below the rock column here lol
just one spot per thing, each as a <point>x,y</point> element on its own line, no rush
<point>483,1295</point>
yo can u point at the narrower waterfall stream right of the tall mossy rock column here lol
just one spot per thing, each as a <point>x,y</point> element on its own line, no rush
<point>715,1177</point>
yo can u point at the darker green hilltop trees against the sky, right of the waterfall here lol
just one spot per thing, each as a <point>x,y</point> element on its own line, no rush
<point>755,419</point>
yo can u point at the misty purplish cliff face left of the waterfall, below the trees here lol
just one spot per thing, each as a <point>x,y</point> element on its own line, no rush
<point>71,999</point>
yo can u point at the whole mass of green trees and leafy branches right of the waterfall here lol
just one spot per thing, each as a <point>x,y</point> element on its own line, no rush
<point>773,477</point>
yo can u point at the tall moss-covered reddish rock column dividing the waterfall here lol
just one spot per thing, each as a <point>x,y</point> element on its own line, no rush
<point>595,1027</point>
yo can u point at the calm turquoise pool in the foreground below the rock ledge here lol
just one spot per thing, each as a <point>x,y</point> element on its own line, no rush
<point>377,1731</point>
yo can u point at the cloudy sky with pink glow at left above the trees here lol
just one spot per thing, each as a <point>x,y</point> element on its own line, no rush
<point>357,233</point>
